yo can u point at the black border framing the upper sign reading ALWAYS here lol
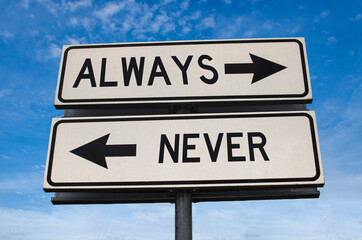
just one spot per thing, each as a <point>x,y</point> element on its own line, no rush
<point>188,99</point>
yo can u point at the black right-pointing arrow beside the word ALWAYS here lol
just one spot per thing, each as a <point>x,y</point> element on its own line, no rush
<point>261,68</point>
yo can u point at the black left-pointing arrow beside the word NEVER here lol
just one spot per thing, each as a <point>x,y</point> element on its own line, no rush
<point>97,151</point>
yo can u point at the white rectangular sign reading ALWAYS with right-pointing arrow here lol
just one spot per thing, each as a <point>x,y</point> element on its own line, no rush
<point>181,72</point>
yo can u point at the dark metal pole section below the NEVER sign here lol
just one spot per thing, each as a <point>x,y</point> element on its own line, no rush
<point>183,216</point>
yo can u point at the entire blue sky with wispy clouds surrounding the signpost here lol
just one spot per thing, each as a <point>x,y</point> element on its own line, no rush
<point>32,33</point>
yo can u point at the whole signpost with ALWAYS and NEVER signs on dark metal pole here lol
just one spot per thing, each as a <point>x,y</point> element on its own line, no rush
<point>266,147</point>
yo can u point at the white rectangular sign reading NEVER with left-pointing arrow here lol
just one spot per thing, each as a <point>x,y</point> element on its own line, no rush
<point>178,151</point>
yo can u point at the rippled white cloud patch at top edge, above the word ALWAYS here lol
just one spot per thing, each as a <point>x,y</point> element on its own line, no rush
<point>145,21</point>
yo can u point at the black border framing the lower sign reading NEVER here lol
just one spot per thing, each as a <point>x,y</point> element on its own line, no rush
<point>99,185</point>
